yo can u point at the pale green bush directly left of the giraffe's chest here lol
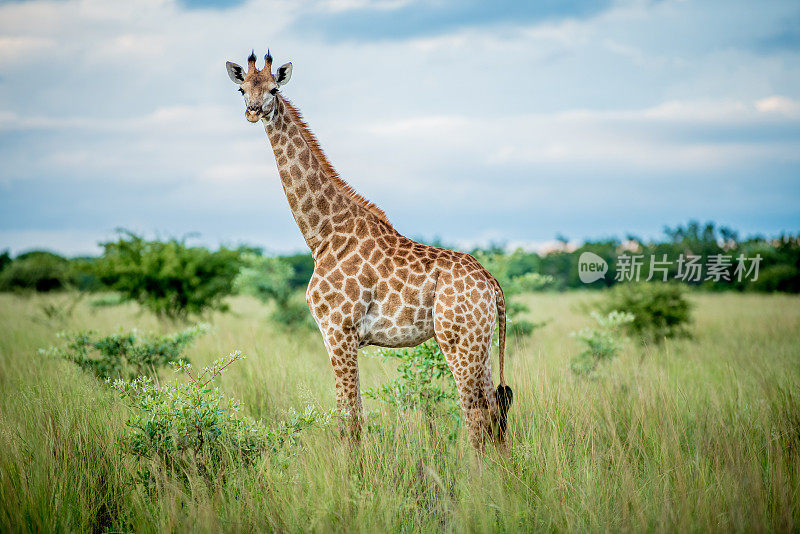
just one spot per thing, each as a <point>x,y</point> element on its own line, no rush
<point>270,280</point>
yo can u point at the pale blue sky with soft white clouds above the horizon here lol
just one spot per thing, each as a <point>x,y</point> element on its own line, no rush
<point>470,121</point>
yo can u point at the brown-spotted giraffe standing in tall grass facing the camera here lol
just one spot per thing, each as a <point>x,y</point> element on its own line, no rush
<point>373,286</point>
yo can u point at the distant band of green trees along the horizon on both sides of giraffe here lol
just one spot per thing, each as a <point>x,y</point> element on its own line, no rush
<point>176,279</point>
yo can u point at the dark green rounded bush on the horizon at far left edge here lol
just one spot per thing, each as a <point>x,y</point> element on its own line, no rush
<point>36,271</point>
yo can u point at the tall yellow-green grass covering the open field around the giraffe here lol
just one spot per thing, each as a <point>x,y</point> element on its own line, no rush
<point>694,435</point>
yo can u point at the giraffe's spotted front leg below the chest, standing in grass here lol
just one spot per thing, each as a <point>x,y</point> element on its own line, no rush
<point>343,351</point>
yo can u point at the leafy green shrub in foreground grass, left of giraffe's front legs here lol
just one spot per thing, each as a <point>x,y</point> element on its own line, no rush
<point>194,427</point>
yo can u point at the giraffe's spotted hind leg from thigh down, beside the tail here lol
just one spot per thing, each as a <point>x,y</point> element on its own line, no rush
<point>463,330</point>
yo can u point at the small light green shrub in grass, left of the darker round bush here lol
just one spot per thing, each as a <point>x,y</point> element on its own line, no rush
<point>602,344</point>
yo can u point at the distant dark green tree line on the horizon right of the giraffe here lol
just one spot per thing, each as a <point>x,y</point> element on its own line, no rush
<point>778,264</point>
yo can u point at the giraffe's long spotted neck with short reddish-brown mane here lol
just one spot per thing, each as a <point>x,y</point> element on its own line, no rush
<point>320,201</point>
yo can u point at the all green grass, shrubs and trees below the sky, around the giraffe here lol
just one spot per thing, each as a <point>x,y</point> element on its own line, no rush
<point>658,407</point>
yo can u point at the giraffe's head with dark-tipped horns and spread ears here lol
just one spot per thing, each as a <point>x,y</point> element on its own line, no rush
<point>259,87</point>
